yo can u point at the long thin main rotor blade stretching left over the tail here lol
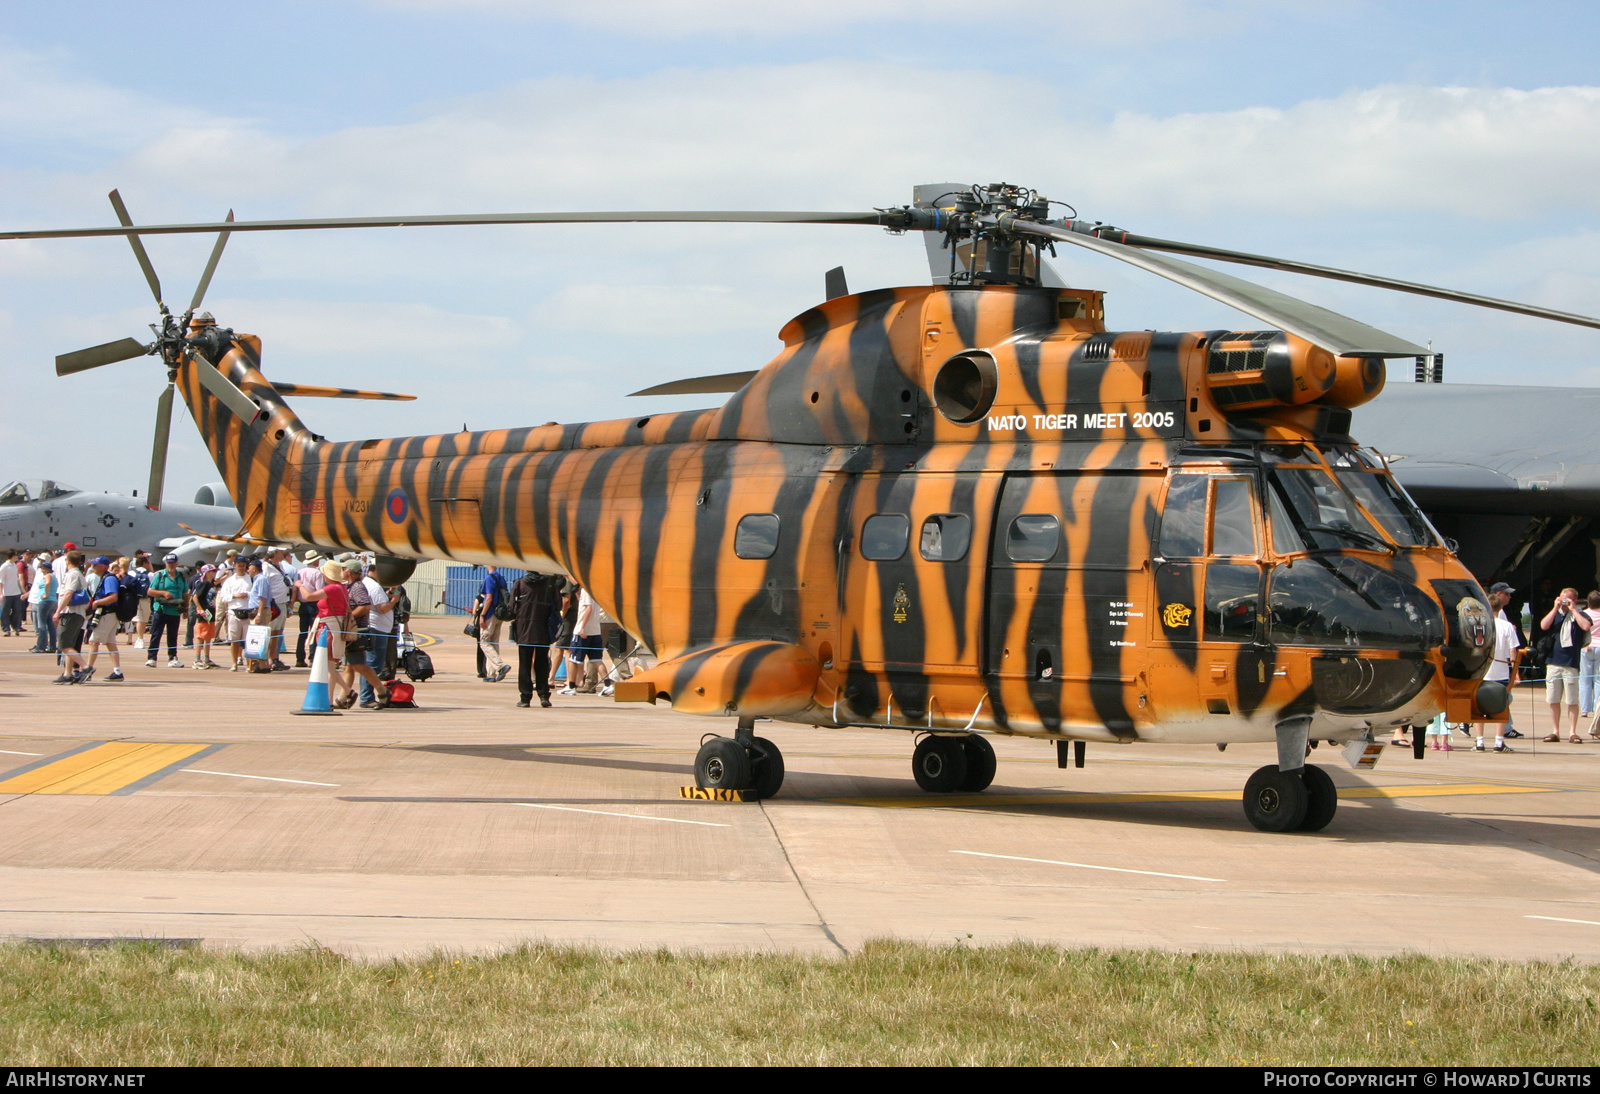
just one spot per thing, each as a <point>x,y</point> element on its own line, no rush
<point>737,217</point>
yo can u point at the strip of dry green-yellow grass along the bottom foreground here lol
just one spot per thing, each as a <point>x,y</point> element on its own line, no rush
<point>894,1004</point>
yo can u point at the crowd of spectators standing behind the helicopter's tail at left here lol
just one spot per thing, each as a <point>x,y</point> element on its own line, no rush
<point>84,607</point>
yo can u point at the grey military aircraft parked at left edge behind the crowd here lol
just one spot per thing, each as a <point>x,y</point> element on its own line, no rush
<point>42,514</point>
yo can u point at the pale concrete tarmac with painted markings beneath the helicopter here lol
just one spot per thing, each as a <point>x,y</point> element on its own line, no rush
<point>193,805</point>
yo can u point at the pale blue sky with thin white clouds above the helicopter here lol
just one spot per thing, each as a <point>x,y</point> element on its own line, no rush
<point>1446,143</point>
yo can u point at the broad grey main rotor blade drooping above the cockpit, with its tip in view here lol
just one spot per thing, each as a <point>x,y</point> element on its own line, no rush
<point>1337,333</point>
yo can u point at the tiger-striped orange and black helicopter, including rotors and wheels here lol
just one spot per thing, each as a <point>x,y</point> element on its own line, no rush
<point>954,509</point>
